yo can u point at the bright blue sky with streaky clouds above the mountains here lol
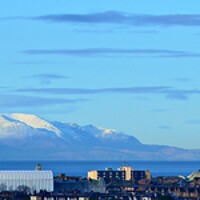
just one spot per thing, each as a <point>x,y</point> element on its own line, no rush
<point>127,65</point>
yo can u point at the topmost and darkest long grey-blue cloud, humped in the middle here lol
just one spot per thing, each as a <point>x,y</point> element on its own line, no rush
<point>117,17</point>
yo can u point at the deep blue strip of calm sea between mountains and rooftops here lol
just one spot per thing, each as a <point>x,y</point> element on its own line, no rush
<point>80,168</point>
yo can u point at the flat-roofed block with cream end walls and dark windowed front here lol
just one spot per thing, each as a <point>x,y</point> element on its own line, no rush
<point>124,173</point>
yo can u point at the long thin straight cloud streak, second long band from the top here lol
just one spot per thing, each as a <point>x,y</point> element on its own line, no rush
<point>111,52</point>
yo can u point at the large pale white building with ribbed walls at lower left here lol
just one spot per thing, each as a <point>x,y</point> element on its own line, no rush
<point>35,180</point>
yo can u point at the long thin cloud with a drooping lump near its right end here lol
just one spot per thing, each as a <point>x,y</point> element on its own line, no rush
<point>169,92</point>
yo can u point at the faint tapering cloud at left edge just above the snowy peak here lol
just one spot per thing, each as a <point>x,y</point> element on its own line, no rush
<point>31,101</point>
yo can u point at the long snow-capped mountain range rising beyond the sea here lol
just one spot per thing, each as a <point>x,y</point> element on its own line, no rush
<point>25,136</point>
